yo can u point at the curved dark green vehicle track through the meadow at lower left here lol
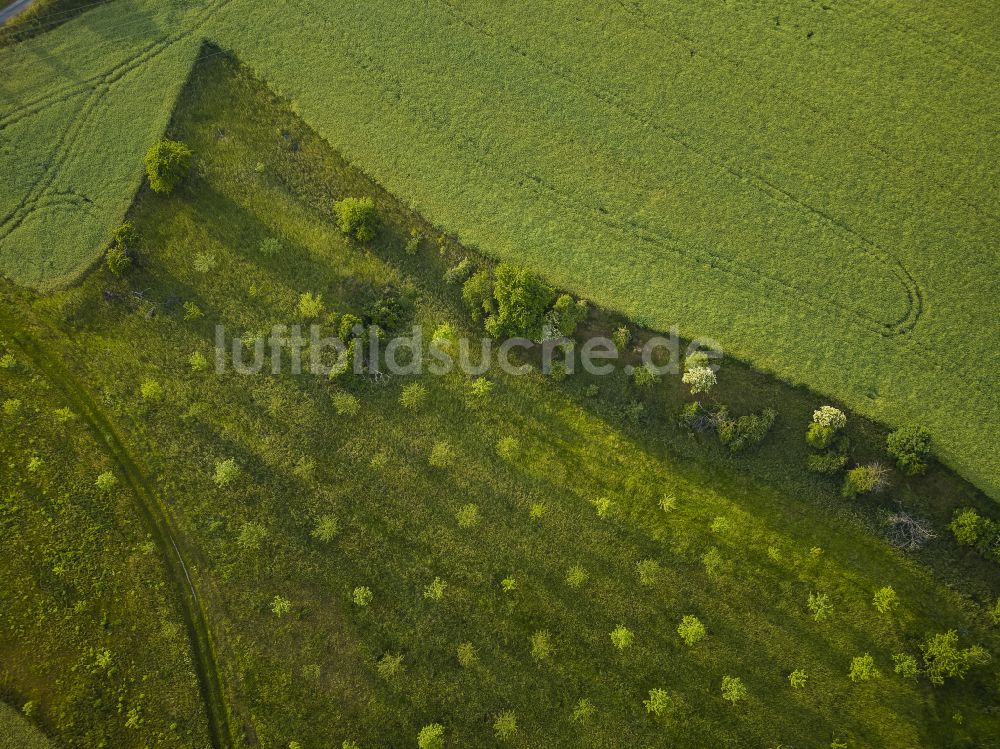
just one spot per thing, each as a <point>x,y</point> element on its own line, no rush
<point>154,516</point>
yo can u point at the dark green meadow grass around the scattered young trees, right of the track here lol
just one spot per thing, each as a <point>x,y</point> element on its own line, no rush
<point>397,514</point>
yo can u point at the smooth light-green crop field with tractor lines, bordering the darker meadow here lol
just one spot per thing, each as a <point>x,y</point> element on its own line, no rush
<point>754,175</point>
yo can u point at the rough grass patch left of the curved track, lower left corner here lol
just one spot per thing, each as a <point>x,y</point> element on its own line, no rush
<point>81,577</point>
